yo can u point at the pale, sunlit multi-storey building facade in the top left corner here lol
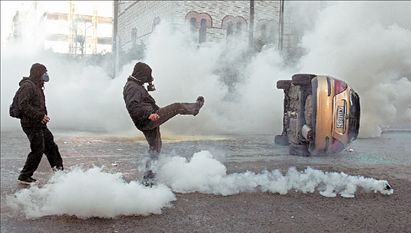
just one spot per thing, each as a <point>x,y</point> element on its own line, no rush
<point>68,27</point>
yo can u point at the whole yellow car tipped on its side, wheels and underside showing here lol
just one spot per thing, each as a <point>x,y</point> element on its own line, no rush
<point>321,115</point>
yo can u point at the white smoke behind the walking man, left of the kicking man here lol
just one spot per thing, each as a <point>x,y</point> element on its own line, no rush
<point>78,97</point>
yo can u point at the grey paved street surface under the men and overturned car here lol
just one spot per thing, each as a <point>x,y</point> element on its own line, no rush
<point>384,158</point>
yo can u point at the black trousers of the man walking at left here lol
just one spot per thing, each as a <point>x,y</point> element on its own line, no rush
<point>41,142</point>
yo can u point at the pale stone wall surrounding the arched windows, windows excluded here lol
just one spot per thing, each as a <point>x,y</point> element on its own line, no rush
<point>142,14</point>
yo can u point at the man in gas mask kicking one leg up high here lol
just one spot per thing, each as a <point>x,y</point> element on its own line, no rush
<point>147,116</point>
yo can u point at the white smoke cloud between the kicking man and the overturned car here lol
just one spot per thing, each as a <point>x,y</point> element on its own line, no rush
<point>183,71</point>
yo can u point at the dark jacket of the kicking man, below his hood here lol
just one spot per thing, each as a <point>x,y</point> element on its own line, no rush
<point>139,103</point>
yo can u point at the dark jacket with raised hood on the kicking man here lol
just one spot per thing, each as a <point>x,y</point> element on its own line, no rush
<point>138,102</point>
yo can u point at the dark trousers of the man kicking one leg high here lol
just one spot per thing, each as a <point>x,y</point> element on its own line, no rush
<point>152,130</point>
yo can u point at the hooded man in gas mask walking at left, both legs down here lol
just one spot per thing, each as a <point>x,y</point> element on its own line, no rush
<point>30,104</point>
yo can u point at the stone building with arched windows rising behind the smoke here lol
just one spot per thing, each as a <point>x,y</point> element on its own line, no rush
<point>208,21</point>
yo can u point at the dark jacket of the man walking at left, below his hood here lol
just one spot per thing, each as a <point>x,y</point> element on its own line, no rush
<point>32,103</point>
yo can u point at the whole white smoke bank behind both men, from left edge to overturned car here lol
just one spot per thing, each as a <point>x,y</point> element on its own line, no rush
<point>84,98</point>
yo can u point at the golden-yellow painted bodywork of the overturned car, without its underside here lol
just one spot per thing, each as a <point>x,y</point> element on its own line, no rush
<point>337,114</point>
